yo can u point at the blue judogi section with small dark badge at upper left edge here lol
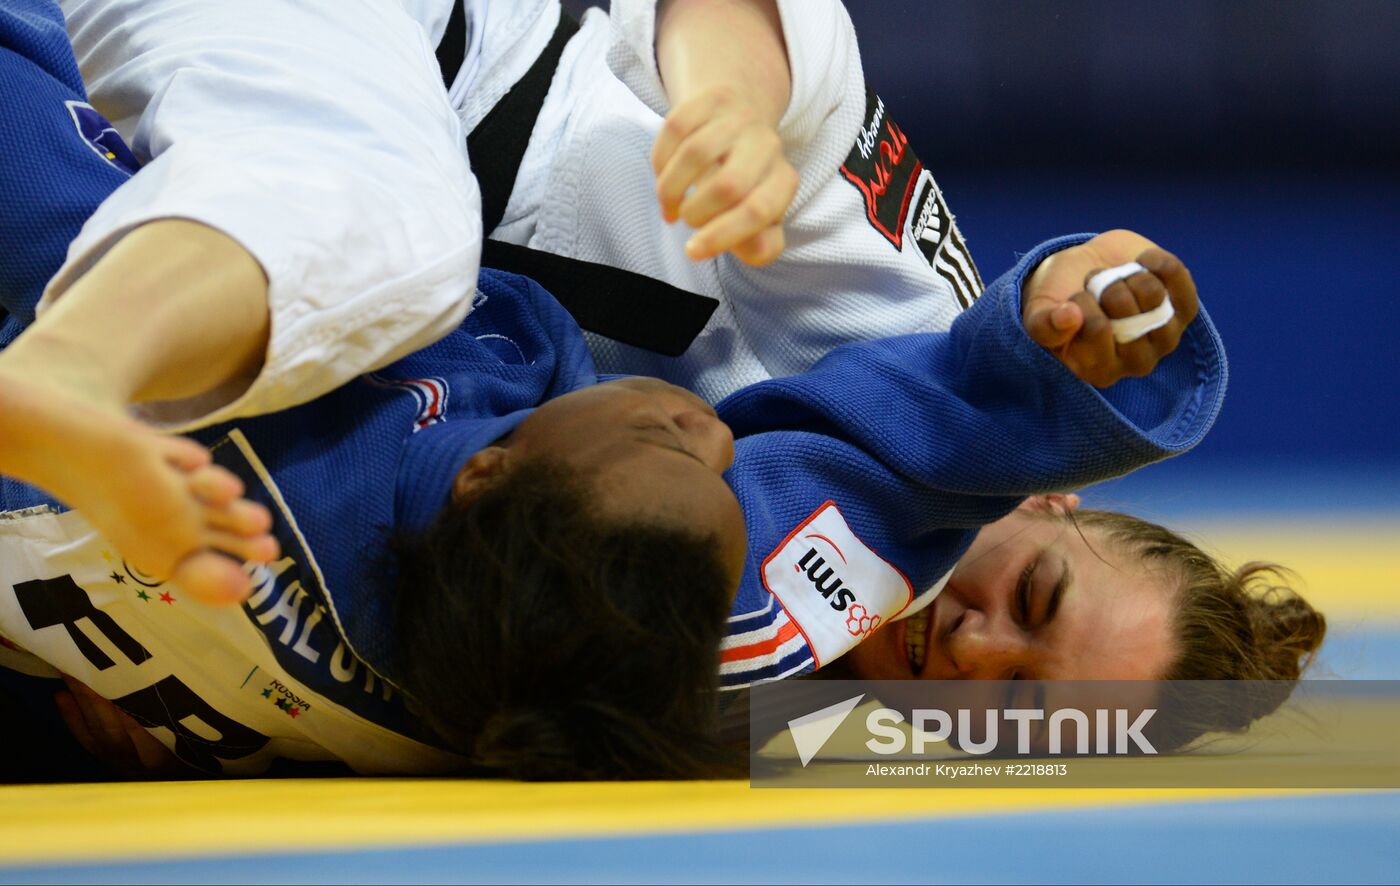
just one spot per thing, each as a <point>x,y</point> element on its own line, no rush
<point>59,159</point>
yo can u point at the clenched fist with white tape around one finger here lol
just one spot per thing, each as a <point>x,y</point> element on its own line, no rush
<point>1063,316</point>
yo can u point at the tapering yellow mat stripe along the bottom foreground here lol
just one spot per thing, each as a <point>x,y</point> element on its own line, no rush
<point>85,824</point>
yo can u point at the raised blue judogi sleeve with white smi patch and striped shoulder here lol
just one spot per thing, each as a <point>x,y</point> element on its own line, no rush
<point>864,479</point>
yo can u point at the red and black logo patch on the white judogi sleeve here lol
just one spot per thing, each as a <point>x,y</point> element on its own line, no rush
<point>884,169</point>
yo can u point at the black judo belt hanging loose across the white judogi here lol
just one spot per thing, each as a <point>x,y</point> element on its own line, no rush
<point>619,304</point>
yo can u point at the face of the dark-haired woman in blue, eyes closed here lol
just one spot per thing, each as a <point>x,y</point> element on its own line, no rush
<point>653,451</point>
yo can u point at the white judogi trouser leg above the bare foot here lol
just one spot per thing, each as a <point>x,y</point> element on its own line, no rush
<point>316,134</point>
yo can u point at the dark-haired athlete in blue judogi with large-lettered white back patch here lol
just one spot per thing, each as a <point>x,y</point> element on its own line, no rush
<point>489,556</point>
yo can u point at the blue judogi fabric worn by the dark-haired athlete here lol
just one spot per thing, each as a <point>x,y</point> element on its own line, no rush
<point>862,481</point>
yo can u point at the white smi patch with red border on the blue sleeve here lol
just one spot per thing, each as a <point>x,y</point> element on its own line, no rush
<point>835,589</point>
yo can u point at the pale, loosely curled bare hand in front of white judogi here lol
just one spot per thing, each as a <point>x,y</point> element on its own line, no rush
<point>720,169</point>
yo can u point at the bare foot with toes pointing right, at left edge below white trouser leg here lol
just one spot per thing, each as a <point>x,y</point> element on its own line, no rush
<point>167,509</point>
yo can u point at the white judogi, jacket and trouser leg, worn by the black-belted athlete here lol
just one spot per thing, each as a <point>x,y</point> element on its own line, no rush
<point>317,135</point>
